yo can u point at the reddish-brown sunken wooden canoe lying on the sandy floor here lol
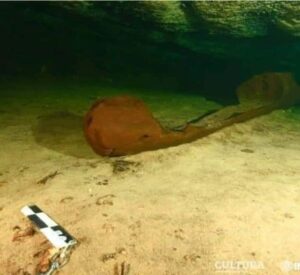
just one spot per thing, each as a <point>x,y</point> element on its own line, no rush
<point>124,125</point>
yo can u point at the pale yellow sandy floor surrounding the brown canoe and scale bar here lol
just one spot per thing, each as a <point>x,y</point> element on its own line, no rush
<point>232,196</point>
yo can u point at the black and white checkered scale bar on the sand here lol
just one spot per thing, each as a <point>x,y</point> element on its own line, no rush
<point>56,234</point>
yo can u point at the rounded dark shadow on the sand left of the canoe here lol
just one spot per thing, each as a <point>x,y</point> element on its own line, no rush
<point>62,132</point>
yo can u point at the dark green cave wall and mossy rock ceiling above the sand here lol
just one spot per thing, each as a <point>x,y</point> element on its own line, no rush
<point>171,45</point>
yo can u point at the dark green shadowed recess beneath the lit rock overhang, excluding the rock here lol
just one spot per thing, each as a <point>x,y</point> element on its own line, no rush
<point>49,40</point>
